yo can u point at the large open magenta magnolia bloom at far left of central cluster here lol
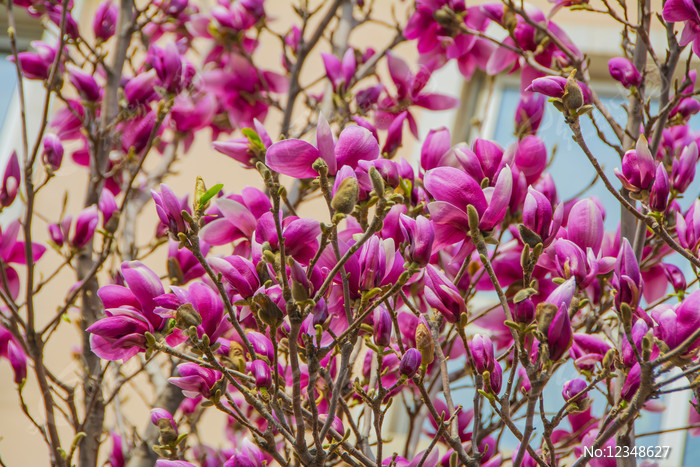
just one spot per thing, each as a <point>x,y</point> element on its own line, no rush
<point>130,314</point>
